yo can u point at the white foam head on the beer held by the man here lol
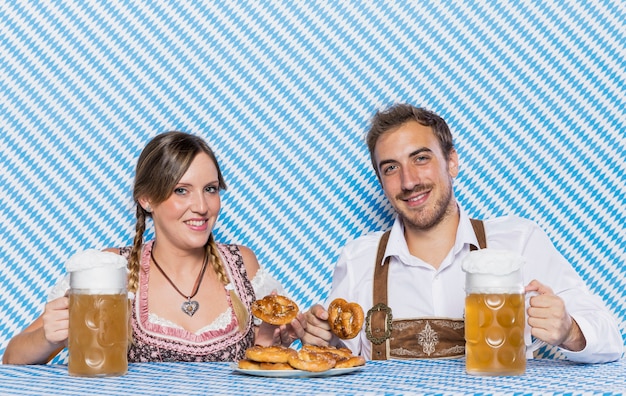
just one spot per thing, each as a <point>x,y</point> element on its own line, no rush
<point>493,271</point>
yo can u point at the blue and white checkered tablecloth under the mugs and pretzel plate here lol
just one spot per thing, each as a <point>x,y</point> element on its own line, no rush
<point>544,377</point>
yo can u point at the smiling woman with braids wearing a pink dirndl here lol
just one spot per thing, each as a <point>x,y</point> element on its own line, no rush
<point>192,295</point>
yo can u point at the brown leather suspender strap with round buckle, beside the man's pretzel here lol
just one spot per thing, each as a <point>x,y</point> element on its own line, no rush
<point>378,321</point>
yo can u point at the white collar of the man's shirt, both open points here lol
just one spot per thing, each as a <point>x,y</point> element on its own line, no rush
<point>397,244</point>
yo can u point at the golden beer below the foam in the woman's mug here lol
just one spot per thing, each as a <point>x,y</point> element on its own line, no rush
<point>98,334</point>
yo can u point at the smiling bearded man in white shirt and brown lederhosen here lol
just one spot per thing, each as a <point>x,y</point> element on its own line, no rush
<point>415,299</point>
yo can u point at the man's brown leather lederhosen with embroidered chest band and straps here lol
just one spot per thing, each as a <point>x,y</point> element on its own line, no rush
<point>412,338</point>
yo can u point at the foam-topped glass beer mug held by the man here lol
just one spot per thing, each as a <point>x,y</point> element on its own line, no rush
<point>495,314</point>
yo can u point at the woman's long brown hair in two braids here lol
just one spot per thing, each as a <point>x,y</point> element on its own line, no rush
<point>160,166</point>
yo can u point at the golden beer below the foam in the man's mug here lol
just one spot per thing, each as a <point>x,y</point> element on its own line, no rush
<point>494,334</point>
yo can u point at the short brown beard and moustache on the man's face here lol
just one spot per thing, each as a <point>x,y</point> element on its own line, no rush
<point>424,219</point>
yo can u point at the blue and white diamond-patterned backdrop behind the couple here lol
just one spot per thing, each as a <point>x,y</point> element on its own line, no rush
<point>283,91</point>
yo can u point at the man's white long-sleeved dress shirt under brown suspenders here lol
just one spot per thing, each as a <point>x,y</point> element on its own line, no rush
<point>416,289</point>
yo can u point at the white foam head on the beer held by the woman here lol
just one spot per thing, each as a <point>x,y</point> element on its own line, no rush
<point>97,271</point>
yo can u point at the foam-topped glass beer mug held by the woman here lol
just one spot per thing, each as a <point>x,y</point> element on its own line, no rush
<point>98,323</point>
